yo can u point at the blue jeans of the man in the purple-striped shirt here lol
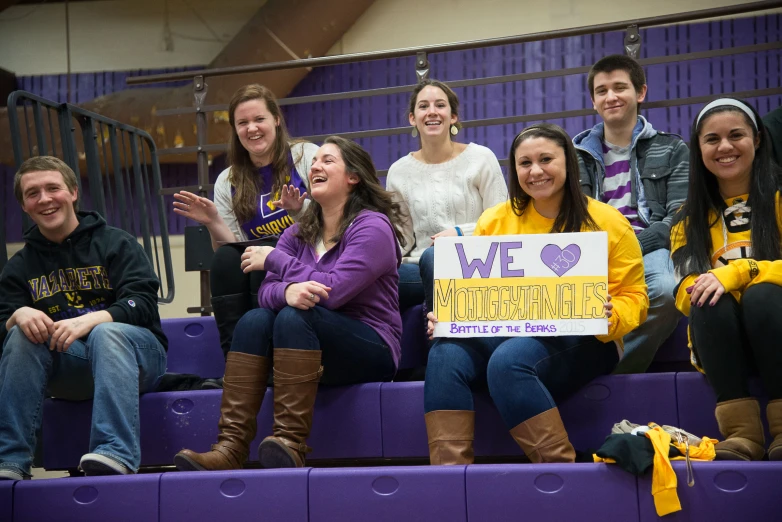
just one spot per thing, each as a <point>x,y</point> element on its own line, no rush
<point>661,319</point>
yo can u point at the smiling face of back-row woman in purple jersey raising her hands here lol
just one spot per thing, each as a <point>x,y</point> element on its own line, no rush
<point>256,128</point>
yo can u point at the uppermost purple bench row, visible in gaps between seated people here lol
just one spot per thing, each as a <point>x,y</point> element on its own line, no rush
<point>194,346</point>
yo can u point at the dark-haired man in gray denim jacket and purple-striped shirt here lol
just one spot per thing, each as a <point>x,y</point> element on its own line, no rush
<point>642,173</point>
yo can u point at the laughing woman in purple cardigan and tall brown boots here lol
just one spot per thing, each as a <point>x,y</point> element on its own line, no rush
<point>328,312</point>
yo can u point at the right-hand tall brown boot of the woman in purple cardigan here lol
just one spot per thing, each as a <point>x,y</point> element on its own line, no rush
<point>296,377</point>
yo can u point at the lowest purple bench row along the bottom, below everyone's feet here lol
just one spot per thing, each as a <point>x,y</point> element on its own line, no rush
<point>503,492</point>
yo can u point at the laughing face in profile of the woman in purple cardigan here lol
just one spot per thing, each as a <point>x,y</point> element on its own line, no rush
<point>330,182</point>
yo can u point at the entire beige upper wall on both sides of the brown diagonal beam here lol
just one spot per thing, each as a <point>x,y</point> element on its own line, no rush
<point>128,34</point>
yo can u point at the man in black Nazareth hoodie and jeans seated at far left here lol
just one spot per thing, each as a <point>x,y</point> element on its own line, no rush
<point>79,308</point>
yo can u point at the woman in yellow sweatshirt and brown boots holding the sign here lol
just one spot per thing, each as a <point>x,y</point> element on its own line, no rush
<point>527,376</point>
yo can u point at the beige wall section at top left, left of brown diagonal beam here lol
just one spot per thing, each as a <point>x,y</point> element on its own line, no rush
<point>119,34</point>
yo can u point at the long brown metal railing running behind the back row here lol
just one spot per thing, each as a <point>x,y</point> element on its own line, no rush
<point>632,43</point>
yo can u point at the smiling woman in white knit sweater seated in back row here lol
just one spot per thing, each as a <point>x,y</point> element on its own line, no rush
<point>446,186</point>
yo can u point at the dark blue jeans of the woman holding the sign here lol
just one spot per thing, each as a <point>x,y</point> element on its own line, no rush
<point>526,375</point>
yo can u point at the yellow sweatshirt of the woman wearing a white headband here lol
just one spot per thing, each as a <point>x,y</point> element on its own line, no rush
<point>731,258</point>
